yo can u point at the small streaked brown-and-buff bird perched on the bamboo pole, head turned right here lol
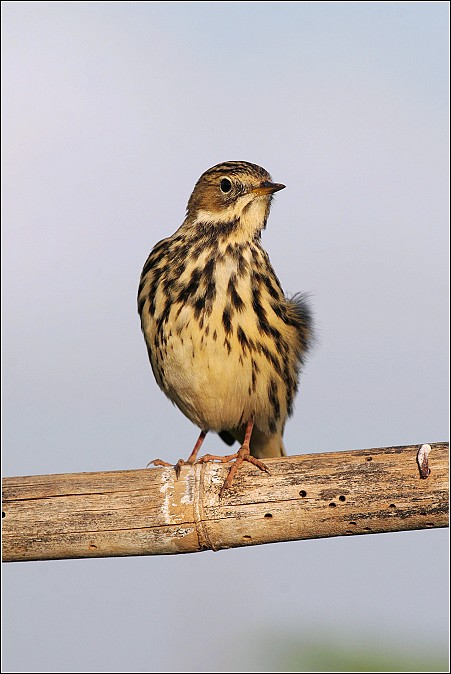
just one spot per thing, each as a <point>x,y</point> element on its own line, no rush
<point>225,343</point>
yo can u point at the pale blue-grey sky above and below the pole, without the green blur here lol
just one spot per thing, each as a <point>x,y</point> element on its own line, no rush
<point>111,111</point>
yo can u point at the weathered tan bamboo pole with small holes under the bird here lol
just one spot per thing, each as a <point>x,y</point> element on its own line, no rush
<point>150,512</point>
